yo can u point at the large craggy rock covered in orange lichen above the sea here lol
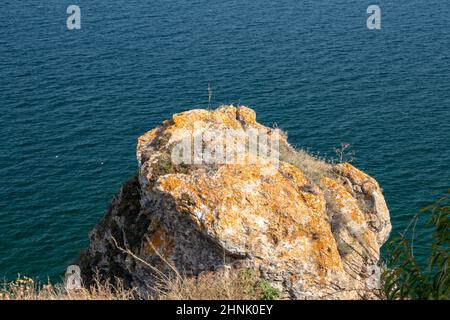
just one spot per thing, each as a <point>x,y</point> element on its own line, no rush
<point>312,229</point>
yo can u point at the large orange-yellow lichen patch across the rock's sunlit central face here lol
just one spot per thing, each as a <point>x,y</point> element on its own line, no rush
<point>264,214</point>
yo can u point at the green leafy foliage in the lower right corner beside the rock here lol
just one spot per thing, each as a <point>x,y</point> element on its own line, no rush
<point>404,278</point>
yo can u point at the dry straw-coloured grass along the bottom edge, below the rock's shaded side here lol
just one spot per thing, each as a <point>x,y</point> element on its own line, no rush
<point>239,285</point>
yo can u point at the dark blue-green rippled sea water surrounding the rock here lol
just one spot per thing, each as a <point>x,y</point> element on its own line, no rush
<point>74,102</point>
